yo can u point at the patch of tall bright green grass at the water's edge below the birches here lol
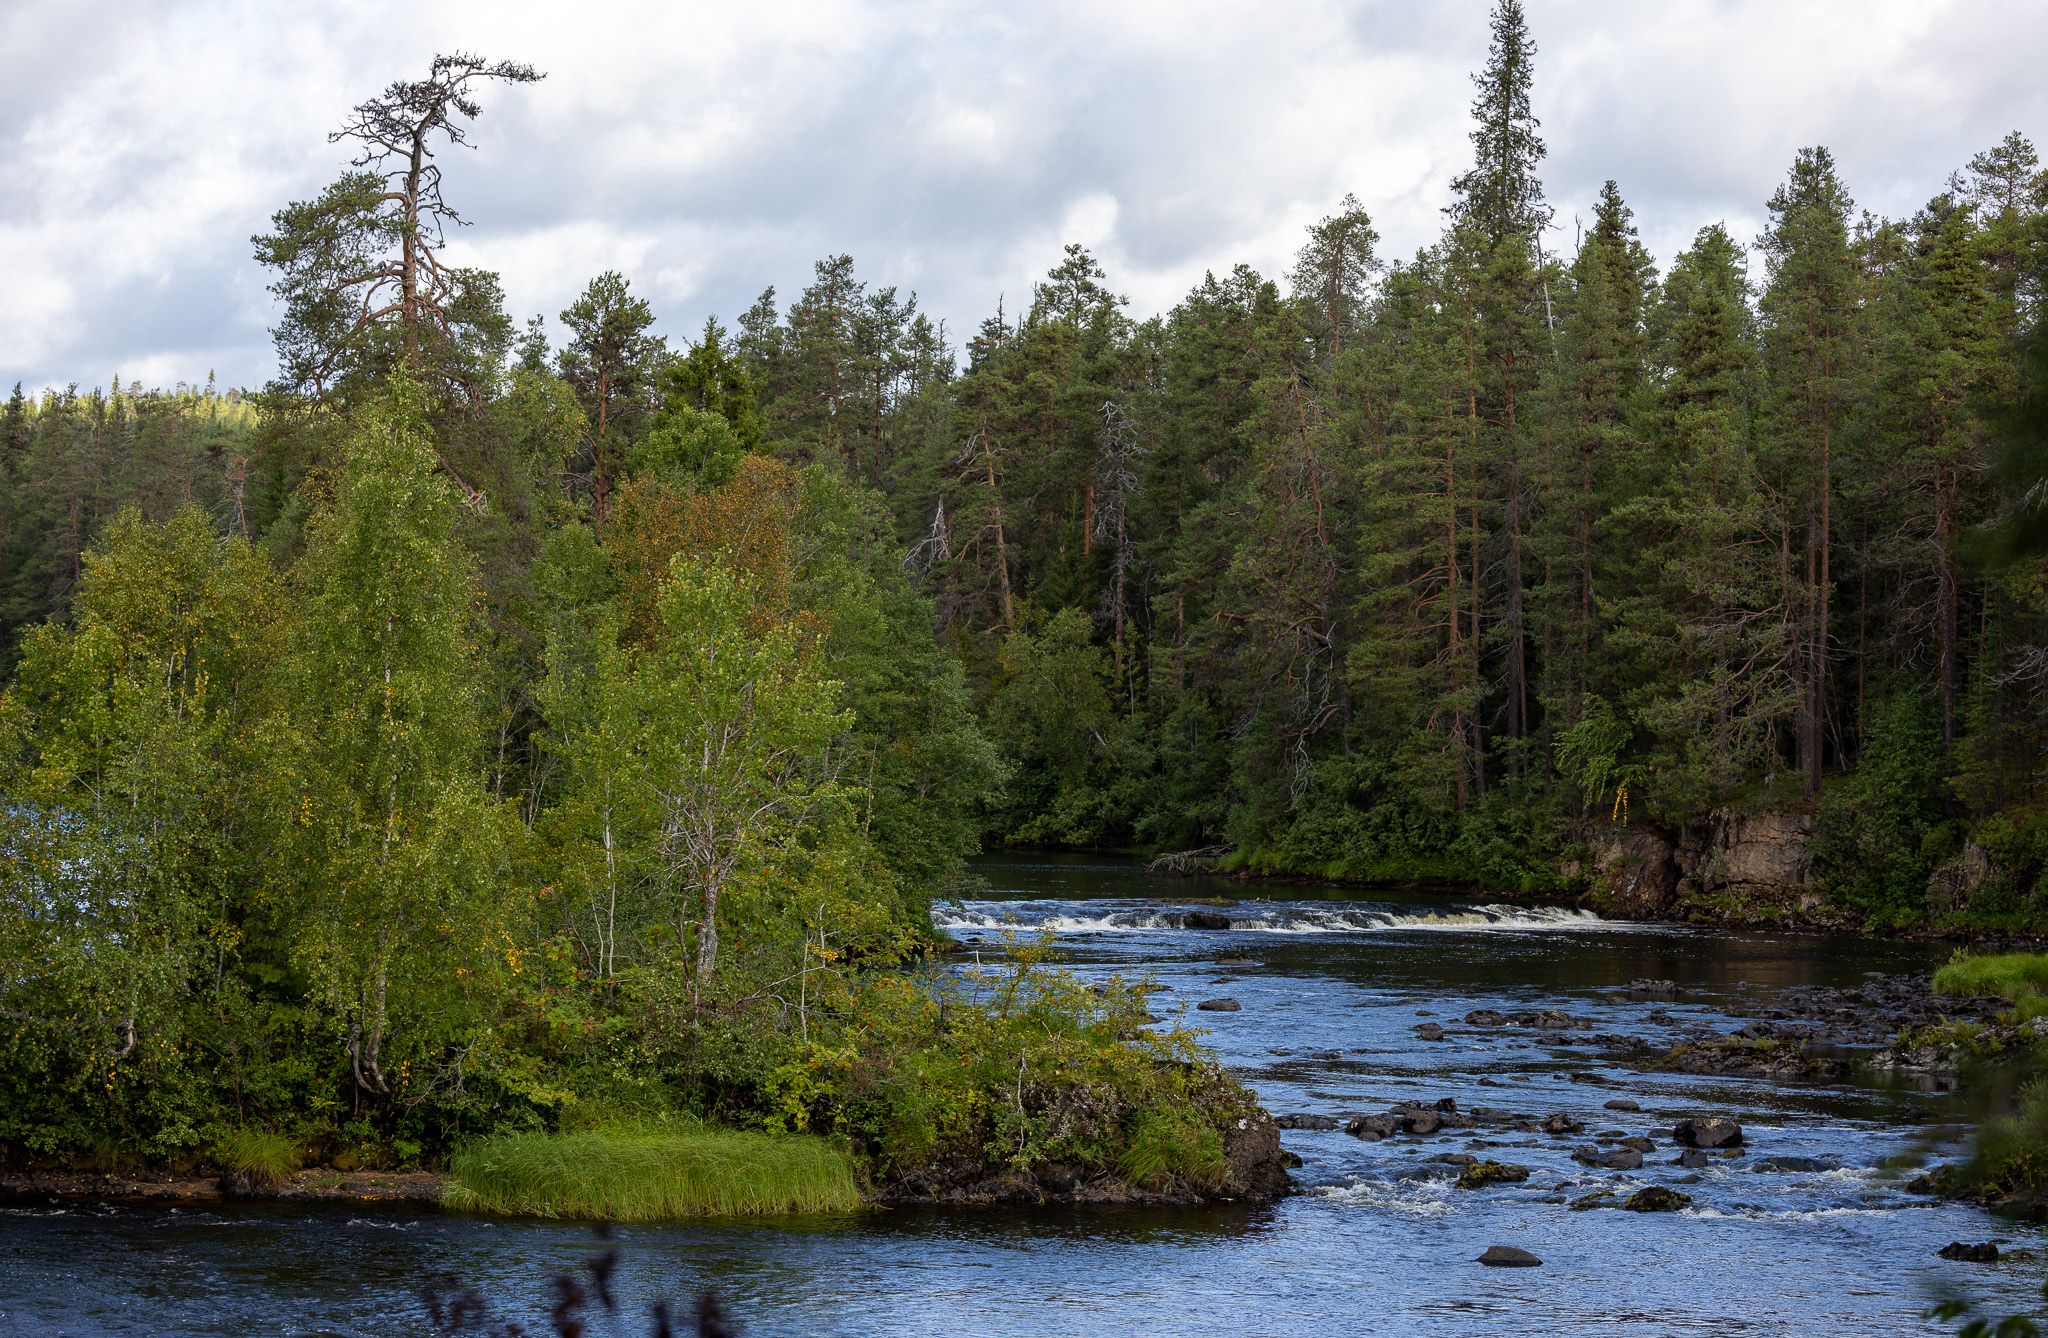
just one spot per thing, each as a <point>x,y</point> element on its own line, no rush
<point>636,1175</point>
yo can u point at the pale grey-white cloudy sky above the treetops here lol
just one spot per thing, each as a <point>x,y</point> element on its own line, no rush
<point>712,151</point>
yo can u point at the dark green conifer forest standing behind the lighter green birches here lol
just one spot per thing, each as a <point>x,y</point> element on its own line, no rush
<point>1385,569</point>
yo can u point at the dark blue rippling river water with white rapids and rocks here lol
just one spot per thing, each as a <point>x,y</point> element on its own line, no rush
<point>1377,1243</point>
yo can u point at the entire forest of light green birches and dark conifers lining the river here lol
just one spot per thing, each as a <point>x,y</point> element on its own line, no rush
<point>490,712</point>
